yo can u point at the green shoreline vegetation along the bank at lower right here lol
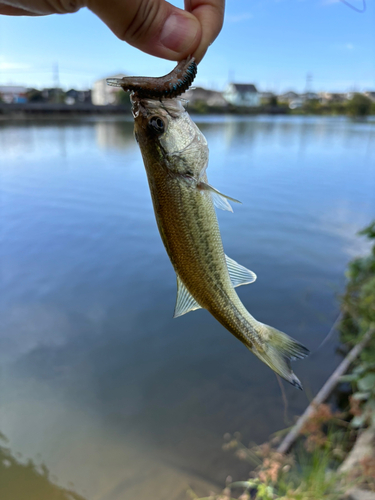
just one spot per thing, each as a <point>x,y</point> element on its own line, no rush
<point>334,455</point>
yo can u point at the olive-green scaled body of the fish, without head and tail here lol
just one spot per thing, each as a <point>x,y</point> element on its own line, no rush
<point>189,229</point>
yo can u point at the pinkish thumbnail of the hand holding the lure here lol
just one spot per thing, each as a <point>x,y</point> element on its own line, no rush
<point>179,32</point>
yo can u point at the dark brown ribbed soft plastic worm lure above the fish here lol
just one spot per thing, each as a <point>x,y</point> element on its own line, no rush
<point>169,86</point>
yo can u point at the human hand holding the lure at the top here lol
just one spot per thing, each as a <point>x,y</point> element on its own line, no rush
<point>153,26</point>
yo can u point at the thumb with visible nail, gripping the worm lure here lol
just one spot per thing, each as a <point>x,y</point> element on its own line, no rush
<point>153,26</point>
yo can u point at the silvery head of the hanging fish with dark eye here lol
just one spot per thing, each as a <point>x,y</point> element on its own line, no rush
<point>168,138</point>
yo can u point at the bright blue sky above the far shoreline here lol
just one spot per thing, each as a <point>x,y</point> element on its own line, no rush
<point>272,43</point>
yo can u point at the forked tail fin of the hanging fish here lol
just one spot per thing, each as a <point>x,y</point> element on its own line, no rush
<point>278,351</point>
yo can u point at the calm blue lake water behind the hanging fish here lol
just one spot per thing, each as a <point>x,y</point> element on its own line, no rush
<point>98,382</point>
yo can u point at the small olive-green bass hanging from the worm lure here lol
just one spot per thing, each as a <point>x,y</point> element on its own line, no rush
<point>175,155</point>
